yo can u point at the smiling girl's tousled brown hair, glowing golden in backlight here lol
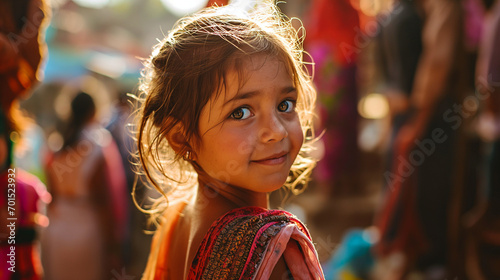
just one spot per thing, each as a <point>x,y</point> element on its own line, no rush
<point>188,67</point>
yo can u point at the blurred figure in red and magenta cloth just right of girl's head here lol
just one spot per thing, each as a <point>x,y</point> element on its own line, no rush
<point>332,25</point>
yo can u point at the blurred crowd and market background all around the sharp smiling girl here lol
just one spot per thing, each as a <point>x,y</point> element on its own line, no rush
<point>408,111</point>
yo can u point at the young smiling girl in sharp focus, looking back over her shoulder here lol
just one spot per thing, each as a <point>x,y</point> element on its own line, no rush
<point>226,106</point>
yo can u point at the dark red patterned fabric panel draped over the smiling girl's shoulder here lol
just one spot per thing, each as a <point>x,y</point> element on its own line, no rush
<point>234,246</point>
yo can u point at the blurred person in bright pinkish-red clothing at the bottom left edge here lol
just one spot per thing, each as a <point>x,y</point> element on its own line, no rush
<point>21,200</point>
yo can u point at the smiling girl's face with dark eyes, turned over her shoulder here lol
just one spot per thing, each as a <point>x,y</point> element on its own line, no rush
<point>251,135</point>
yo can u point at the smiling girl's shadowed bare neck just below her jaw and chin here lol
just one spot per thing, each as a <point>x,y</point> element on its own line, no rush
<point>234,197</point>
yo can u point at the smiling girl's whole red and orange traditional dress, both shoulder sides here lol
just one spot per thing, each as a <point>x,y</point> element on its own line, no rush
<point>246,243</point>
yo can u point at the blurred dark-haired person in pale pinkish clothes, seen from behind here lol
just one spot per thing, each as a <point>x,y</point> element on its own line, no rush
<point>88,212</point>
